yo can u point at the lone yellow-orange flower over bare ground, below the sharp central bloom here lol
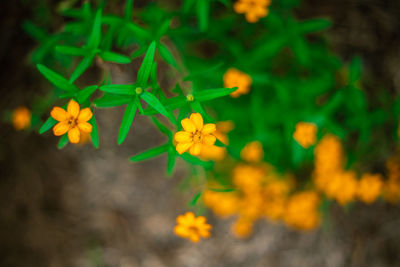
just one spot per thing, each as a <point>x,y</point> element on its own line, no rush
<point>192,227</point>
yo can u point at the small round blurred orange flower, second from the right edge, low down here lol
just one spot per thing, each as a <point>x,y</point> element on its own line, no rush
<point>370,187</point>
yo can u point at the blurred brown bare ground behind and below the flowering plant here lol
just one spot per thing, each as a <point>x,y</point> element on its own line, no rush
<point>85,207</point>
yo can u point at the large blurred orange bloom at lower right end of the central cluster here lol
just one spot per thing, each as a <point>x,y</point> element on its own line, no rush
<point>302,210</point>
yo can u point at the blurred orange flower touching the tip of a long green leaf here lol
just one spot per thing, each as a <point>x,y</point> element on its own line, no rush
<point>236,78</point>
